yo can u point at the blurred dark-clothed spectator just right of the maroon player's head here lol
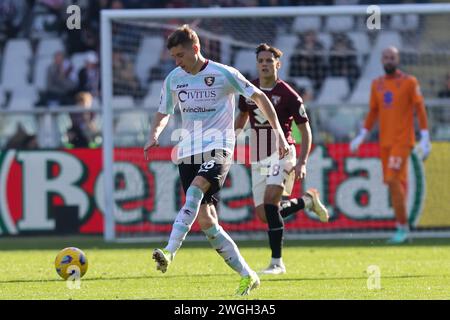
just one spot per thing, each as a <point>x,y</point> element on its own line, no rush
<point>308,61</point>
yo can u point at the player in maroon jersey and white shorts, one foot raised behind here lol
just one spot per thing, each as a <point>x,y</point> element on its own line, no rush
<point>271,177</point>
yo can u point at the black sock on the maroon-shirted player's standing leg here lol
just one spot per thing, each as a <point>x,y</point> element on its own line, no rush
<point>276,229</point>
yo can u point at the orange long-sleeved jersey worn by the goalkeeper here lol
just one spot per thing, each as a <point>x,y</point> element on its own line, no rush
<point>393,101</point>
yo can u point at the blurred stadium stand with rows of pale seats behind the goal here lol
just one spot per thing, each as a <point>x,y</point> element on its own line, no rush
<point>27,47</point>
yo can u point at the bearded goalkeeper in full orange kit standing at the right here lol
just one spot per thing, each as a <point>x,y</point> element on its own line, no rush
<point>394,99</point>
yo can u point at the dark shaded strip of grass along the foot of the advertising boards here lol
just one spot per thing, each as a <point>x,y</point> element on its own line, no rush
<point>96,242</point>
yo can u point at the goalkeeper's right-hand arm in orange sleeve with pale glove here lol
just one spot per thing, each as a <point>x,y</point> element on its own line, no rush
<point>419,106</point>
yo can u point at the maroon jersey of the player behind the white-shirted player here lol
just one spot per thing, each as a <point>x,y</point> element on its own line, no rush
<point>288,106</point>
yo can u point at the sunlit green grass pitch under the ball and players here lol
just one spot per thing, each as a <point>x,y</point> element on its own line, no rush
<point>316,270</point>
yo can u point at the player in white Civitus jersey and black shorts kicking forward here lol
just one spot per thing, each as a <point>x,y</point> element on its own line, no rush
<point>205,92</point>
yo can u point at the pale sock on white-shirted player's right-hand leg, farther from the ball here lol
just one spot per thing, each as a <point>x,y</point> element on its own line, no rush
<point>227,249</point>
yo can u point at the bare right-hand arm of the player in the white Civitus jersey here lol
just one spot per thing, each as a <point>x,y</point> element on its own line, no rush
<point>269,112</point>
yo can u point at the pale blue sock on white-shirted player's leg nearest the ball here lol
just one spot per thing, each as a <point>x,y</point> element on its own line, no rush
<point>185,218</point>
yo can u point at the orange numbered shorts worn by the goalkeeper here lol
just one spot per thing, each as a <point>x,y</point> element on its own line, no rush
<point>395,162</point>
